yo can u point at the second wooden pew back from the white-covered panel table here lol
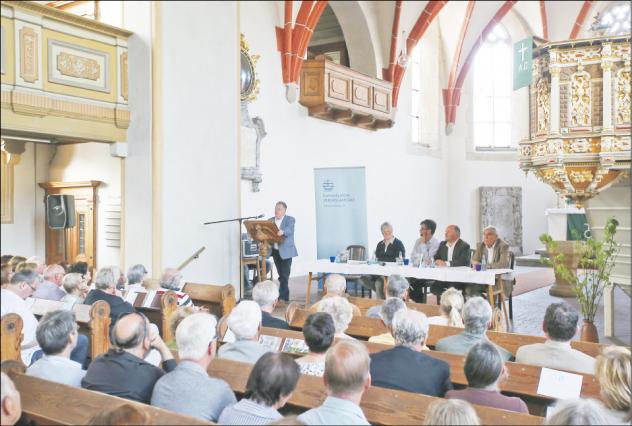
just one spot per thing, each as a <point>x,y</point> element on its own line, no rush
<point>364,327</point>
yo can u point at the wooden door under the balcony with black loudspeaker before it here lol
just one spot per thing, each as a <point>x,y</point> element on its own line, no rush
<point>80,240</point>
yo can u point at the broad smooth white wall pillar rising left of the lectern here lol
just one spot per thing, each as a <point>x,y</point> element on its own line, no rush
<point>200,95</point>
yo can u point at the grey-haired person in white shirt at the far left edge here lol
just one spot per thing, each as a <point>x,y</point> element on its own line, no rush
<point>12,301</point>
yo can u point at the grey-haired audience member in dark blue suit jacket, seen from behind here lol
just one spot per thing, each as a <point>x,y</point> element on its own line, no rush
<point>406,367</point>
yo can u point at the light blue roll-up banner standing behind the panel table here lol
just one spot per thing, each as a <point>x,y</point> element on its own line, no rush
<point>340,209</point>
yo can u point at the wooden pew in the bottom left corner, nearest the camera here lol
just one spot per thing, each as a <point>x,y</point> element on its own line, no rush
<point>47,402</point>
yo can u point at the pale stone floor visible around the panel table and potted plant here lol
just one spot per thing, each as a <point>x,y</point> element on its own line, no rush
<point>528,309</point>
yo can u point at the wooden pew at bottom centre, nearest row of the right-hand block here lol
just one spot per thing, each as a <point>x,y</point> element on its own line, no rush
<point>380,406</point>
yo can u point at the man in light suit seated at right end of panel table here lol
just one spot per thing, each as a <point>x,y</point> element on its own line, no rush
<point>496,254</point>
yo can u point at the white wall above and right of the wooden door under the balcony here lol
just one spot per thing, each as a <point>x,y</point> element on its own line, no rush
<point>92,161</point>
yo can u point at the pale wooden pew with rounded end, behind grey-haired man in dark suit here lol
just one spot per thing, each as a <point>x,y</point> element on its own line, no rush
<point>93,319</point>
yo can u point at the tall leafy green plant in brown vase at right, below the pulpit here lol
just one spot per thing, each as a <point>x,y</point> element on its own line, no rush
<point>596,260</point>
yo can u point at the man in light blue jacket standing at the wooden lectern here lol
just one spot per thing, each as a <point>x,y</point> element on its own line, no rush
<point>283,252</point>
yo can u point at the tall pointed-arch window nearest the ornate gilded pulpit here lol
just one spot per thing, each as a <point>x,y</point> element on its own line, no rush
<point>492,92</point>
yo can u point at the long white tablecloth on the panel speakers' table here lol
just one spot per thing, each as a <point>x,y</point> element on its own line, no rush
<point>461,274</point>
